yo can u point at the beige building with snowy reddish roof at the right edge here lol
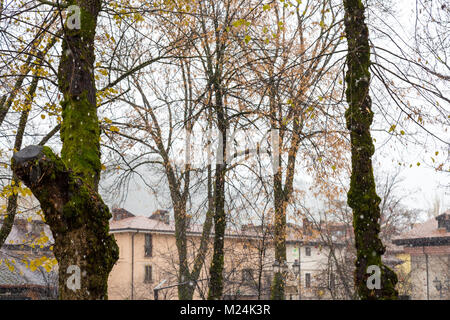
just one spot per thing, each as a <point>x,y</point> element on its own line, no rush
<point>428,245</point>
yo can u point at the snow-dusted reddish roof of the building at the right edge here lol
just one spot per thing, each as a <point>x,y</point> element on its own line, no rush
<point>426,233</point>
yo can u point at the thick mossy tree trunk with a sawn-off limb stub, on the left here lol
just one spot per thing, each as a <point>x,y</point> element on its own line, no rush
<point>66,187</point>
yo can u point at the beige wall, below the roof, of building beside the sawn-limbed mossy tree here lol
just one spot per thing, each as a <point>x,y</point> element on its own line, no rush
<point>240,254</point>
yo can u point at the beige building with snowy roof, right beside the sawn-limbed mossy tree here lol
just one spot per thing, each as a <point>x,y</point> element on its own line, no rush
<point>148,258</point>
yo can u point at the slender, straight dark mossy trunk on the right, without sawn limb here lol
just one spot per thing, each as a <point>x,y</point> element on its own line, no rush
<point>362,196</point>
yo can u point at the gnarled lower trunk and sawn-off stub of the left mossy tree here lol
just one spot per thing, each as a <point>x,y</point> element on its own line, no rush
<point>78,219</point>
